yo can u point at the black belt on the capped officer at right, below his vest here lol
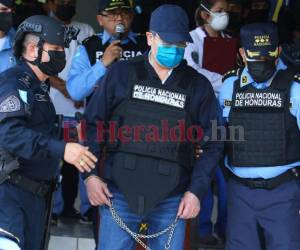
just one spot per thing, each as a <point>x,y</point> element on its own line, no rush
<point>272,183</point>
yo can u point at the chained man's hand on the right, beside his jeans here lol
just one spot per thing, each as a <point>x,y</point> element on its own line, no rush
<point>189,206</point>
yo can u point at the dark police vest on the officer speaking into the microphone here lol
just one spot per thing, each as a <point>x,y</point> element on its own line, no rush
<point>95,49</point>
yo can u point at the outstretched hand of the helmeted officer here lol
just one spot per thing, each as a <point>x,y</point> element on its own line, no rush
<point>80,157</point>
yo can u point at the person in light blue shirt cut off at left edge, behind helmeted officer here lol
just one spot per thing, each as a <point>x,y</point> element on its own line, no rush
<point>6,35</point>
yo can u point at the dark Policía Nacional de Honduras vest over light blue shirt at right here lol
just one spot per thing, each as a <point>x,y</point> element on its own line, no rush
<point>265,132</point>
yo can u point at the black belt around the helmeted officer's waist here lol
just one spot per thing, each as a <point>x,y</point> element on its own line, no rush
<point>39,188</point>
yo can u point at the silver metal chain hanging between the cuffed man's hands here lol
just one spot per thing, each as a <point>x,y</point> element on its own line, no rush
<point>137,237</point>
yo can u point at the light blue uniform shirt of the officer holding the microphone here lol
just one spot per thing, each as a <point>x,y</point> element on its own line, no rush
<point>83,76</point>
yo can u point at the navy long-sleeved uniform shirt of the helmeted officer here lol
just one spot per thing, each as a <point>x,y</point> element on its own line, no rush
<point>27,123</point>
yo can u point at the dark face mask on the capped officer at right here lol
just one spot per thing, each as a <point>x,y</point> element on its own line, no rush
<point>261,71</point>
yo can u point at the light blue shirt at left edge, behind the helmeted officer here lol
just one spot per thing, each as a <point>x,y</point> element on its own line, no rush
<point>7,59</point>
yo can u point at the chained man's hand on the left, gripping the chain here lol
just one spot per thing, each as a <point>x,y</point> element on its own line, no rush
<point>98,192</point>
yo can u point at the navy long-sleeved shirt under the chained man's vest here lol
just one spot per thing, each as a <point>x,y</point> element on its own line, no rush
<point>112,90</point>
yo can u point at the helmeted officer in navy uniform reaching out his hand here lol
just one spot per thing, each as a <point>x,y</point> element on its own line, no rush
<point>30,151</point>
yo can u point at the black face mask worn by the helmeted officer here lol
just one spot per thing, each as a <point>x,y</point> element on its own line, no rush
<point>56,64</point>
